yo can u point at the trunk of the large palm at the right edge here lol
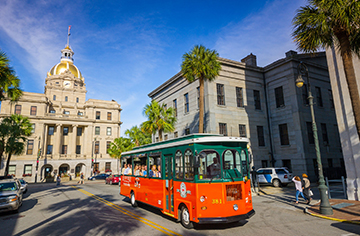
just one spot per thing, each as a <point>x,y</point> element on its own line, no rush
<point>346,56</point>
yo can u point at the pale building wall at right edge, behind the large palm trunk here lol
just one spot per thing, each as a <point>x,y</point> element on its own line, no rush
<point>350,141</point>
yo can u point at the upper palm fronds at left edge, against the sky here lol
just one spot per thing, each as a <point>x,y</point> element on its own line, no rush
<point>9,82</point>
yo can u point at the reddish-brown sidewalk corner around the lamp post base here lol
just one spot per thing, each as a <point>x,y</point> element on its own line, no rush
<point>343,211</point>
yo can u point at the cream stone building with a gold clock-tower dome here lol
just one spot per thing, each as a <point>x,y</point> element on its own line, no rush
<point>70,134</point>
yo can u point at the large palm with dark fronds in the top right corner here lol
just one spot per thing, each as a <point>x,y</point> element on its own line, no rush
<point>328,23</point>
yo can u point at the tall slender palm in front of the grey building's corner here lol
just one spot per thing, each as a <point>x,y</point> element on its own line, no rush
<point>200,63</point>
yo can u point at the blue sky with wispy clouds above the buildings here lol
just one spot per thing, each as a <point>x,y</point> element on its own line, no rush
<point>125,49</point>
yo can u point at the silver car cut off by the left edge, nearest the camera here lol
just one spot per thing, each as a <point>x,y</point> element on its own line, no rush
<point>10,195</point>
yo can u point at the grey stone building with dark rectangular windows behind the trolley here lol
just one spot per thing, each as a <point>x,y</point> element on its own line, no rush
<point>263,104</point>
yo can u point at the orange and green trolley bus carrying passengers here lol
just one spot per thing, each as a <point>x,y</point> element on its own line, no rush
<point>201,178</point>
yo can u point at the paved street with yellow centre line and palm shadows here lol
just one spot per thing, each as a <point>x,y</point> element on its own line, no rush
<point>98,209</point>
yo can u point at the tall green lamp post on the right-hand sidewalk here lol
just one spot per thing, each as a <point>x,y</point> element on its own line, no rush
<point>325,207</point>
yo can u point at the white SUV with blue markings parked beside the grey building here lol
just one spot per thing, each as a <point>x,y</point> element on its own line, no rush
<point>277,176</point>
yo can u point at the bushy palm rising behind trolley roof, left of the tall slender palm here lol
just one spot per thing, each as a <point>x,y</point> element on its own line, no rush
<point>160,119</point>
